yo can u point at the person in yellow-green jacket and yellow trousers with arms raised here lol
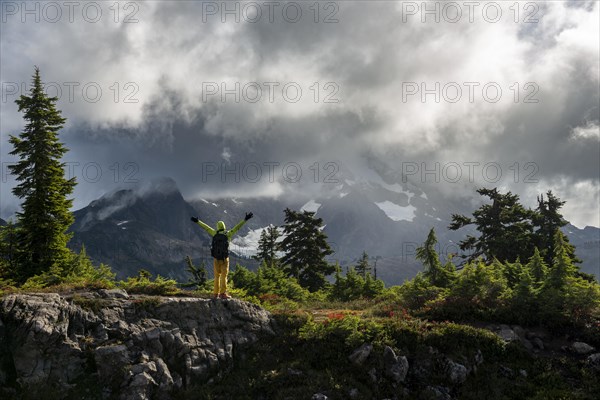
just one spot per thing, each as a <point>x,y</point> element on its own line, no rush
<point>219,249</point>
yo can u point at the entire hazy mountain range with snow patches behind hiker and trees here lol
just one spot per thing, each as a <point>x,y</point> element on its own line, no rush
<point>148,227</point>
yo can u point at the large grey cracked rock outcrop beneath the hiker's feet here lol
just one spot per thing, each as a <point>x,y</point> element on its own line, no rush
<point>136,347</point>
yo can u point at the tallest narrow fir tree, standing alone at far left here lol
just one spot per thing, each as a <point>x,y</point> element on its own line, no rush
<point>45,216</point>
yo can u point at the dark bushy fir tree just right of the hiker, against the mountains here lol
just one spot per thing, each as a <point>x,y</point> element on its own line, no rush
<point>305,248</point>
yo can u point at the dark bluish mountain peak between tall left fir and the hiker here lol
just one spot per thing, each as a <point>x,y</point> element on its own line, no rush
<point>148,227</point>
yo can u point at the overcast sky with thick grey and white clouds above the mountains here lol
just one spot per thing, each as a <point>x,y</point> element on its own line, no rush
<point>188,88</point>
